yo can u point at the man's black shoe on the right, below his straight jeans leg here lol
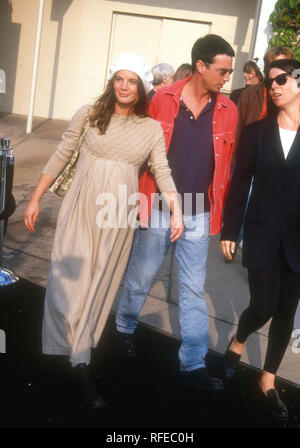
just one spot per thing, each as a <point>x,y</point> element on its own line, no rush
<point>199,379</point>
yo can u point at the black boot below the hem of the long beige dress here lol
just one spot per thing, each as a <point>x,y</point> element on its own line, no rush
<point>90,397</point>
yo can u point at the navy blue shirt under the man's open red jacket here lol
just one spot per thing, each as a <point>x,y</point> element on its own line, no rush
<point>191,152</point>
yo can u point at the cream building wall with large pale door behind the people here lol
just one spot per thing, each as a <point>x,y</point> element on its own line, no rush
<point>80,37</point>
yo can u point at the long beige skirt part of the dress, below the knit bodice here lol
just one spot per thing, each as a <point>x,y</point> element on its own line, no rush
<point>87,260</point>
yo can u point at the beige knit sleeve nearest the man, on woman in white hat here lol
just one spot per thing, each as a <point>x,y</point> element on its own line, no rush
<point>158,162</point>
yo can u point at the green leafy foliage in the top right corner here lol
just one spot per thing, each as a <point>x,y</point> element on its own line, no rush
<point>285,20</point>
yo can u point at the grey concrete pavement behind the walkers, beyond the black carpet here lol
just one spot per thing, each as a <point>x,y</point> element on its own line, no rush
<point>28,255</point>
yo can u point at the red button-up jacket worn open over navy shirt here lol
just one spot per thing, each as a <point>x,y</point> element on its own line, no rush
<point>164,108</point>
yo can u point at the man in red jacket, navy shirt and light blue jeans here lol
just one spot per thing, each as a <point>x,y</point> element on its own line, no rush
<point>199,127</point>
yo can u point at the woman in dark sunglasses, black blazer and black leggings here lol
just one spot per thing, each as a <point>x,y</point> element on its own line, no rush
<point>269,150</point>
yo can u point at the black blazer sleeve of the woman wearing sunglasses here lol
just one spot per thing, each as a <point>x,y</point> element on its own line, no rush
<point>236,201</point>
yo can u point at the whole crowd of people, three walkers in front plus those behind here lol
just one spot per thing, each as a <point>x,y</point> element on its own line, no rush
<point>171,140</point>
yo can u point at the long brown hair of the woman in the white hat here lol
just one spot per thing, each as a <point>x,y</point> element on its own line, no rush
<point>104,106</point>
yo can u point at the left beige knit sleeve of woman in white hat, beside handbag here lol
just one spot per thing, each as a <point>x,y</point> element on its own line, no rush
<point>67,145</point>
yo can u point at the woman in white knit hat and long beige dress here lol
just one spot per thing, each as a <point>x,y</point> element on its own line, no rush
<point>94,228</point>
